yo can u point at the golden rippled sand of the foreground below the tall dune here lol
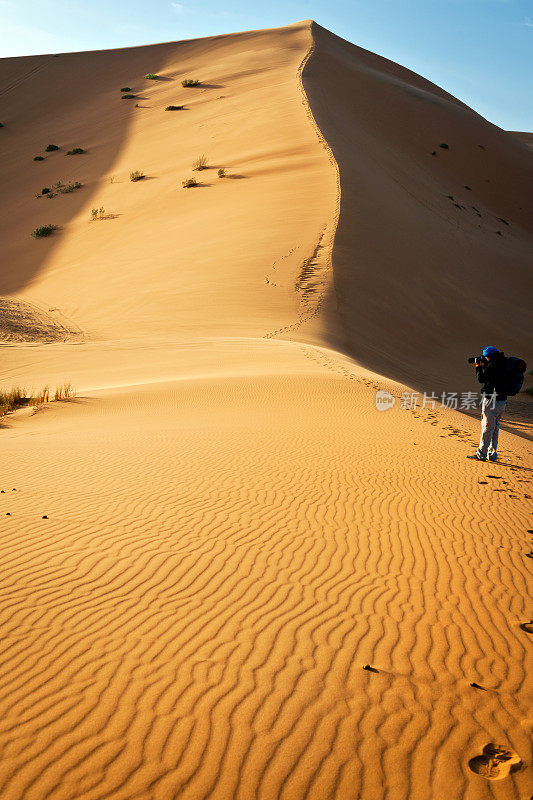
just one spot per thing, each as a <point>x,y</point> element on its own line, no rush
<point>192,619</point>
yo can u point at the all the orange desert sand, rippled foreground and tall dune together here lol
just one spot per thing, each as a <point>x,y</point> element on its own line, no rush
<point>202,552</point>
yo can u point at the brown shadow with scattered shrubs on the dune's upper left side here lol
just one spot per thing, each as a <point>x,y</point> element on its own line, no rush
<point>74,100</point>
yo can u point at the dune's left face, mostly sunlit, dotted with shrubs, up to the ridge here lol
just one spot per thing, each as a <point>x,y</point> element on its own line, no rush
<point>221,258</point>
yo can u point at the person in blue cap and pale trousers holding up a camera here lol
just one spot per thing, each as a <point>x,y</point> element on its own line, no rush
<point>491,373</point>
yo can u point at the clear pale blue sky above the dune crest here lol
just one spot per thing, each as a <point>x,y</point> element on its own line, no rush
<point>479,50</point>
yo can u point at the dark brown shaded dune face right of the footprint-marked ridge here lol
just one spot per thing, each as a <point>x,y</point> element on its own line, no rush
<point>420,284</point>
